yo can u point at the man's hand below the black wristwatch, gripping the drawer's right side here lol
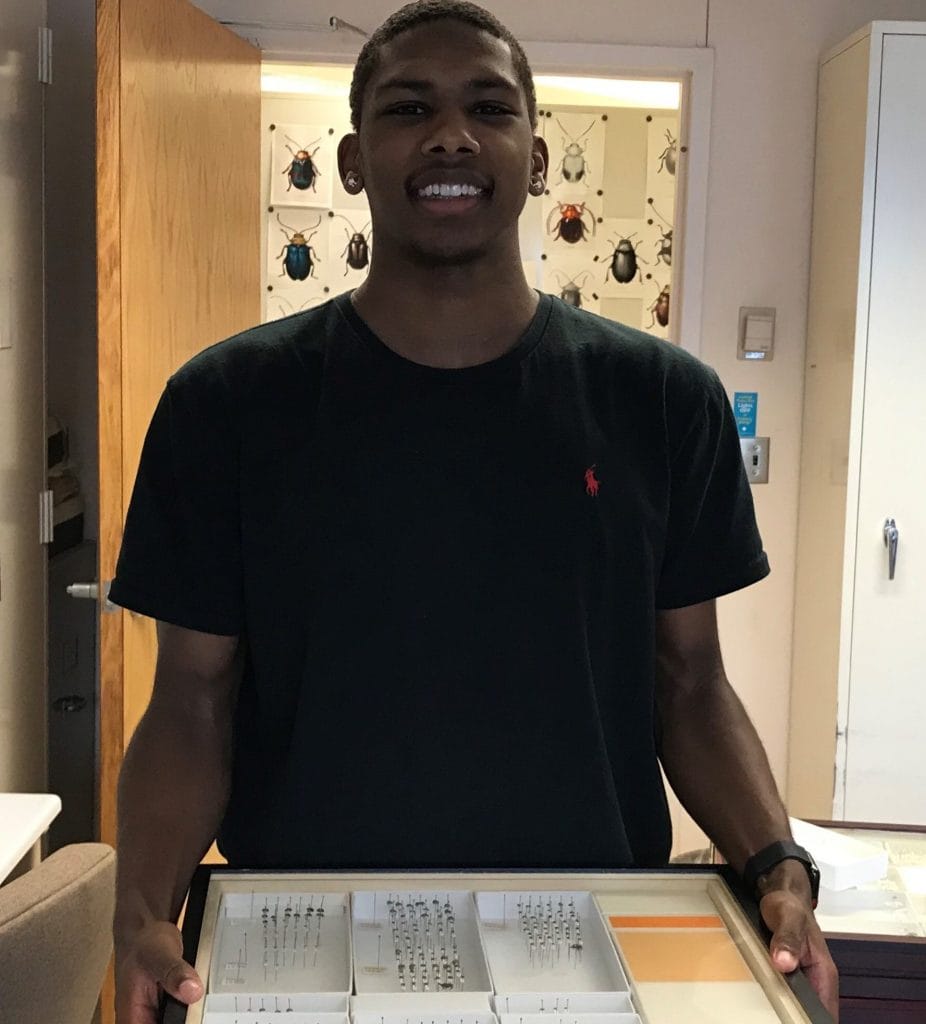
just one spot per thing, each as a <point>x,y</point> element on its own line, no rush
<point>796,938</point>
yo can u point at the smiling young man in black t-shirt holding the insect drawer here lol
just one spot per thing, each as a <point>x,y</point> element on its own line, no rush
<point>435,565</point>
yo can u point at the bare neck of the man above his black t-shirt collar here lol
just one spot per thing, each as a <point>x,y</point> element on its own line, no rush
<point>449,317</point>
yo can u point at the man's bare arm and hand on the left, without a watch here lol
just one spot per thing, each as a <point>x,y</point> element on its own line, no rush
<point>173,794</point>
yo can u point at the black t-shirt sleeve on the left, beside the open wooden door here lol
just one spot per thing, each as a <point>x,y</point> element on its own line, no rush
<point>181,558</point>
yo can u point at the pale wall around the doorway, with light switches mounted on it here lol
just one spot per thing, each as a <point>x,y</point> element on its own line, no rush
<point>757,246</point>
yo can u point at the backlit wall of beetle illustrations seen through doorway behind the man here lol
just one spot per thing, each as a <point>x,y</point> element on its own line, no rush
<point>601,238</point>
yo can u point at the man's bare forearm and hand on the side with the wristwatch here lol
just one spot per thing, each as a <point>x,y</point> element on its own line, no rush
<point>718,766</point>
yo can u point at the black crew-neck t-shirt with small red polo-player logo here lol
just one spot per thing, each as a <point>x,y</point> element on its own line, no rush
<point>447,581</point>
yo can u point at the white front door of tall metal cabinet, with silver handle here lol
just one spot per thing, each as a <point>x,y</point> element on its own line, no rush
<point>886,771</point>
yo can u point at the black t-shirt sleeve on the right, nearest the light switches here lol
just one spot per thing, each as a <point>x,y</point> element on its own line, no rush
<point>713,545</point>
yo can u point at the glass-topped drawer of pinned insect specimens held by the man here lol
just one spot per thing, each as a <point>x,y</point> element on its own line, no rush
<point>625,948</point>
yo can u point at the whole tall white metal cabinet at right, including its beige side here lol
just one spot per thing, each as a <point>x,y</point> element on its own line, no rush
<point>860,666</point>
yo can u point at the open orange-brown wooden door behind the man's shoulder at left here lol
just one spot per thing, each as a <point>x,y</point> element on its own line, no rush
<point>179,115</point>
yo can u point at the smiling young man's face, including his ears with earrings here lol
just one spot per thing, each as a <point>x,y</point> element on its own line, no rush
<point>445,113</point>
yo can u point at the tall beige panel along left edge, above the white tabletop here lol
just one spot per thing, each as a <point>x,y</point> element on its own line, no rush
<point>22,406</point>
